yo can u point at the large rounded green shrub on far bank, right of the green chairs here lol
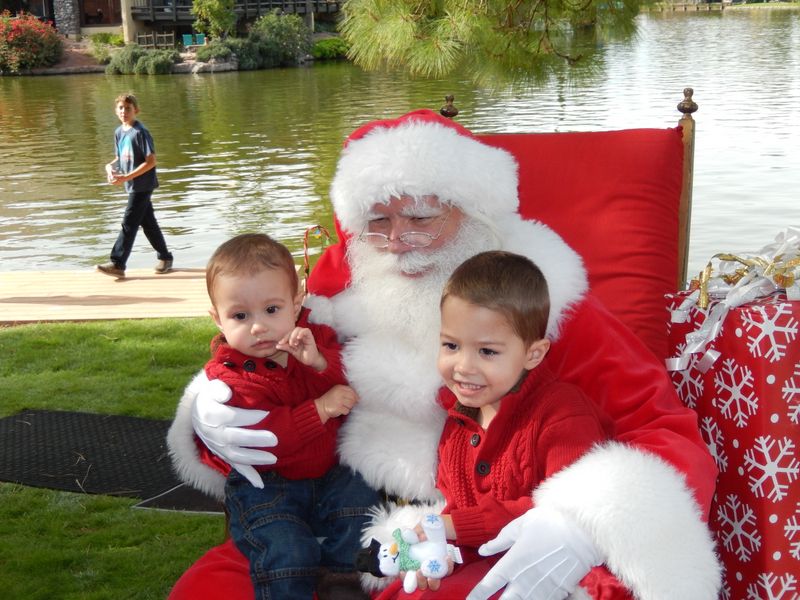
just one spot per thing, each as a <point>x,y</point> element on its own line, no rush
<point>282,39</point>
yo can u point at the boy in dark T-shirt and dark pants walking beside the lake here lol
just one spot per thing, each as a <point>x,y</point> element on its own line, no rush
<point>134,165</point>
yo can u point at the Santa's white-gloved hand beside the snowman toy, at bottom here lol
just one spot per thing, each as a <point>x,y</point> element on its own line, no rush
<point>548,557</point>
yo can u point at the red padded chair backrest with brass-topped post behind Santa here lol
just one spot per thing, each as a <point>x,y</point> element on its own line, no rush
<point>622,200</point>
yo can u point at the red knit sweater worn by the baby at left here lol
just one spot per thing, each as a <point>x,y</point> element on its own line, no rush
<point>308,447</point>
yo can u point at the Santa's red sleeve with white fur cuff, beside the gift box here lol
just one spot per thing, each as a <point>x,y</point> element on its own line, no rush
<point>644,497</point>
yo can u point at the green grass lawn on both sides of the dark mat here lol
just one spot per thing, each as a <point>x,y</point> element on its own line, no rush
<point>81,546</point>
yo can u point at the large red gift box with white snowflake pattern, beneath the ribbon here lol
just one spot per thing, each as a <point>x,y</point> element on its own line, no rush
<point>748,405</point>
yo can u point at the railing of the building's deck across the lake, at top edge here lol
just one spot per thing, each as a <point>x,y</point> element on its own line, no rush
<point>179,11</point>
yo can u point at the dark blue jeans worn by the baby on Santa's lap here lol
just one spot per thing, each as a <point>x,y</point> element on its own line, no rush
<point>278,527</point>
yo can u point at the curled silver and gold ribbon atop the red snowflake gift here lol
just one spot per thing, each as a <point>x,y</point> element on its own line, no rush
<point>775,267</point>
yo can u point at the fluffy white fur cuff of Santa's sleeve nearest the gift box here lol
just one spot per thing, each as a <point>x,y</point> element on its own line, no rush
<point>643,520</point>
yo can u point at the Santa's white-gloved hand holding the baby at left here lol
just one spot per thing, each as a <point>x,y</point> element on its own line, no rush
<point>221,428</point>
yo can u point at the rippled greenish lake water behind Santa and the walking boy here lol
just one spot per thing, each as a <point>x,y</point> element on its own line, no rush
<point>256,150</point>
